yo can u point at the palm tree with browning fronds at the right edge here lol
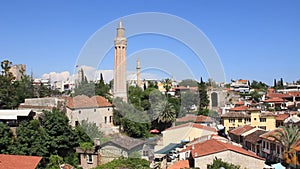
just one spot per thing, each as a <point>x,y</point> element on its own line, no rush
<point>289,138</point>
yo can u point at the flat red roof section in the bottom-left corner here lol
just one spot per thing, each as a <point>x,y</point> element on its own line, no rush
<point>18,161</point>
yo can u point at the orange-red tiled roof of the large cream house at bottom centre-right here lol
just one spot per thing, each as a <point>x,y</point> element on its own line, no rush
<point>213,146</point>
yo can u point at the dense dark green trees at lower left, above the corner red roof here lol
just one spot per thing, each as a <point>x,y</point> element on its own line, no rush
<point>48,136</point>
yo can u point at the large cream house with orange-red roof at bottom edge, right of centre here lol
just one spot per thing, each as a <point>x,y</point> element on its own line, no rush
<point>205,152</point>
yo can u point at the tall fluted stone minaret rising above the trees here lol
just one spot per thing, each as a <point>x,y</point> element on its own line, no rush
<point>120,88</point>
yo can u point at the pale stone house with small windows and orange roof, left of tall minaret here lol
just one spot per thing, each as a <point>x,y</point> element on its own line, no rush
<point>94,109</point>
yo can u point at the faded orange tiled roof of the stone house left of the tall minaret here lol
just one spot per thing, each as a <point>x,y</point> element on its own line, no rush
<point>83,101</point>
